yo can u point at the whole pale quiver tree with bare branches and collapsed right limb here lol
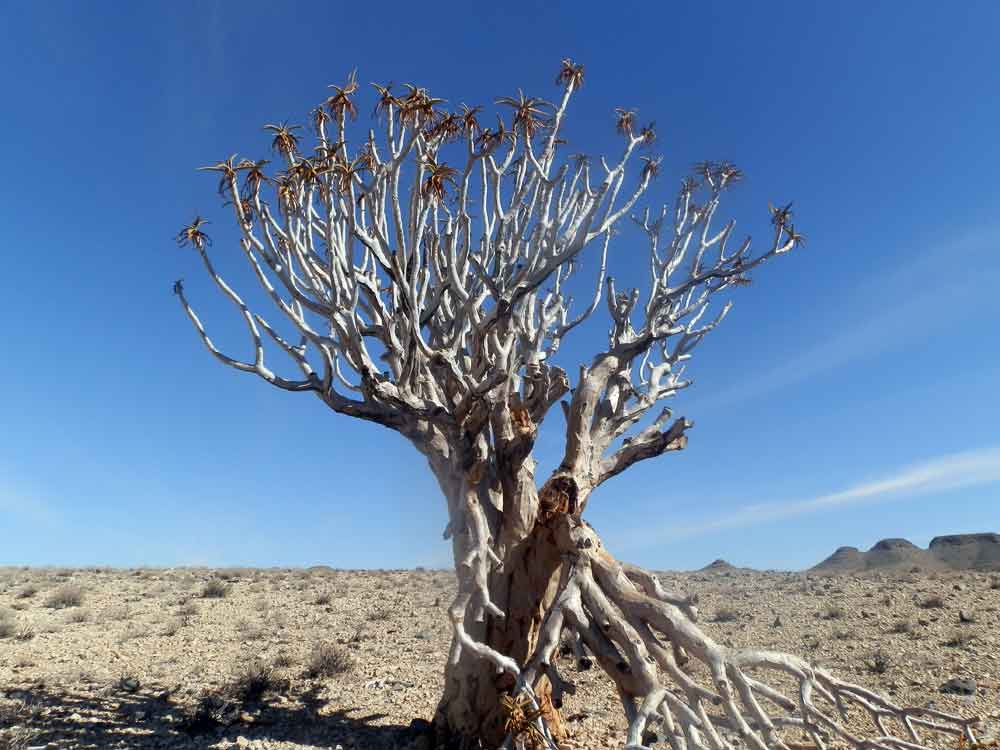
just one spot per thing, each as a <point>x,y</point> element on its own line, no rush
<point>425,268</point>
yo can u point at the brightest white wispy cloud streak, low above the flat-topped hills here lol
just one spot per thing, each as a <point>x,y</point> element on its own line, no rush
<point>949,472</point>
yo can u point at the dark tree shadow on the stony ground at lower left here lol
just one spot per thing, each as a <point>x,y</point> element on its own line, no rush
<point>152,719</point>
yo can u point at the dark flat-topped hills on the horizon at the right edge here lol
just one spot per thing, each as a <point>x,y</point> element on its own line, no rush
<point>955,552</point>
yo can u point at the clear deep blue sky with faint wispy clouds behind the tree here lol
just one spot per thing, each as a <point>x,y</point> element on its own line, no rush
<point>851,394</point>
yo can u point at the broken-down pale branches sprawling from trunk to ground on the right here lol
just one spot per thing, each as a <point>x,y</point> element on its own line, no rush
<point>643,636</point>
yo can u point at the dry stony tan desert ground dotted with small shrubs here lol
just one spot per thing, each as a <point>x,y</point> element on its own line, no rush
<point>145,660</point>
